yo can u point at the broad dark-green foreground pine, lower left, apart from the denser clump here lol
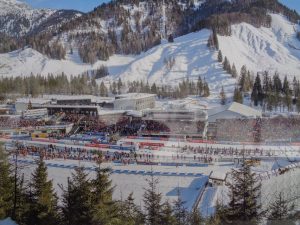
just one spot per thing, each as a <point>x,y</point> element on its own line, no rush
<point>43,208</point>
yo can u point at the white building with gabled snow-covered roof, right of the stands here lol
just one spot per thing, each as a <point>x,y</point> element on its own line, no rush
<point>233,111</point>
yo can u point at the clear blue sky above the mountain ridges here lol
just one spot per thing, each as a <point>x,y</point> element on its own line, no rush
<point>88,5</point>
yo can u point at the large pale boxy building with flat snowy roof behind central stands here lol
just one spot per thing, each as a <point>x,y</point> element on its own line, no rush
<point>134,101</point>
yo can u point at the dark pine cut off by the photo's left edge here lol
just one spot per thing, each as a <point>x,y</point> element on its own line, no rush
<point>6,186</point>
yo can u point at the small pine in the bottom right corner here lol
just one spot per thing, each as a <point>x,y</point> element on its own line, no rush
<point>280,211</point>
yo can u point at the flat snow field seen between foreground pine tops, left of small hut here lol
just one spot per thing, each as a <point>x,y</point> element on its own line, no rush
<point>126,183</point>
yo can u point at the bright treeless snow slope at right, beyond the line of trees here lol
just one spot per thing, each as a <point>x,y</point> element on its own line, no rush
<point>260,49</point>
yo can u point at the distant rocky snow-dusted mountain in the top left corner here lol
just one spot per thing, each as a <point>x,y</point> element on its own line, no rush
<point>18,19</point>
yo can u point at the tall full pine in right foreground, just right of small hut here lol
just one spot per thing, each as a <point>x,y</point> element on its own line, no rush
<point>244,194</point>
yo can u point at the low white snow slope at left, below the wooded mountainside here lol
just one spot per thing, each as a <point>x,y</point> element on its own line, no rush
<point>27,61</point>
